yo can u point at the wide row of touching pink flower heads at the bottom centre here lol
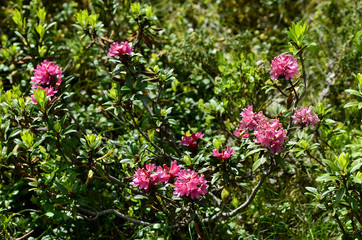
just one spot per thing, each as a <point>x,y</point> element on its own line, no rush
<point>187,182</point>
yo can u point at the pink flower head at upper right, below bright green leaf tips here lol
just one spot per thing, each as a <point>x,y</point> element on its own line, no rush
<point>284,66</point>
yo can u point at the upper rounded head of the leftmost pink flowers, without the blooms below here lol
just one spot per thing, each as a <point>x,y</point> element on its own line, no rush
<point>47,73</point>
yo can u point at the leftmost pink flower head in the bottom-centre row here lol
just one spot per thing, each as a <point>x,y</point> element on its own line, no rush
<point>147,178</point>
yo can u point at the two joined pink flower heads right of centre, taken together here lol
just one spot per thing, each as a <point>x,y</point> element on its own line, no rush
<point>268,133</point>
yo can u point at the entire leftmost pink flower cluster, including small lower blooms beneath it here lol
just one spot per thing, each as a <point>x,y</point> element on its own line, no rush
<point>47,76</point>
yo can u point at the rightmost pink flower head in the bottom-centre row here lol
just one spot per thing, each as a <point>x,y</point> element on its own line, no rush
<point>190,184</point>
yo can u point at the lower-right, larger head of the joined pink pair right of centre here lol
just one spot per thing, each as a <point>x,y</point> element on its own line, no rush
<point>270,134</point>
